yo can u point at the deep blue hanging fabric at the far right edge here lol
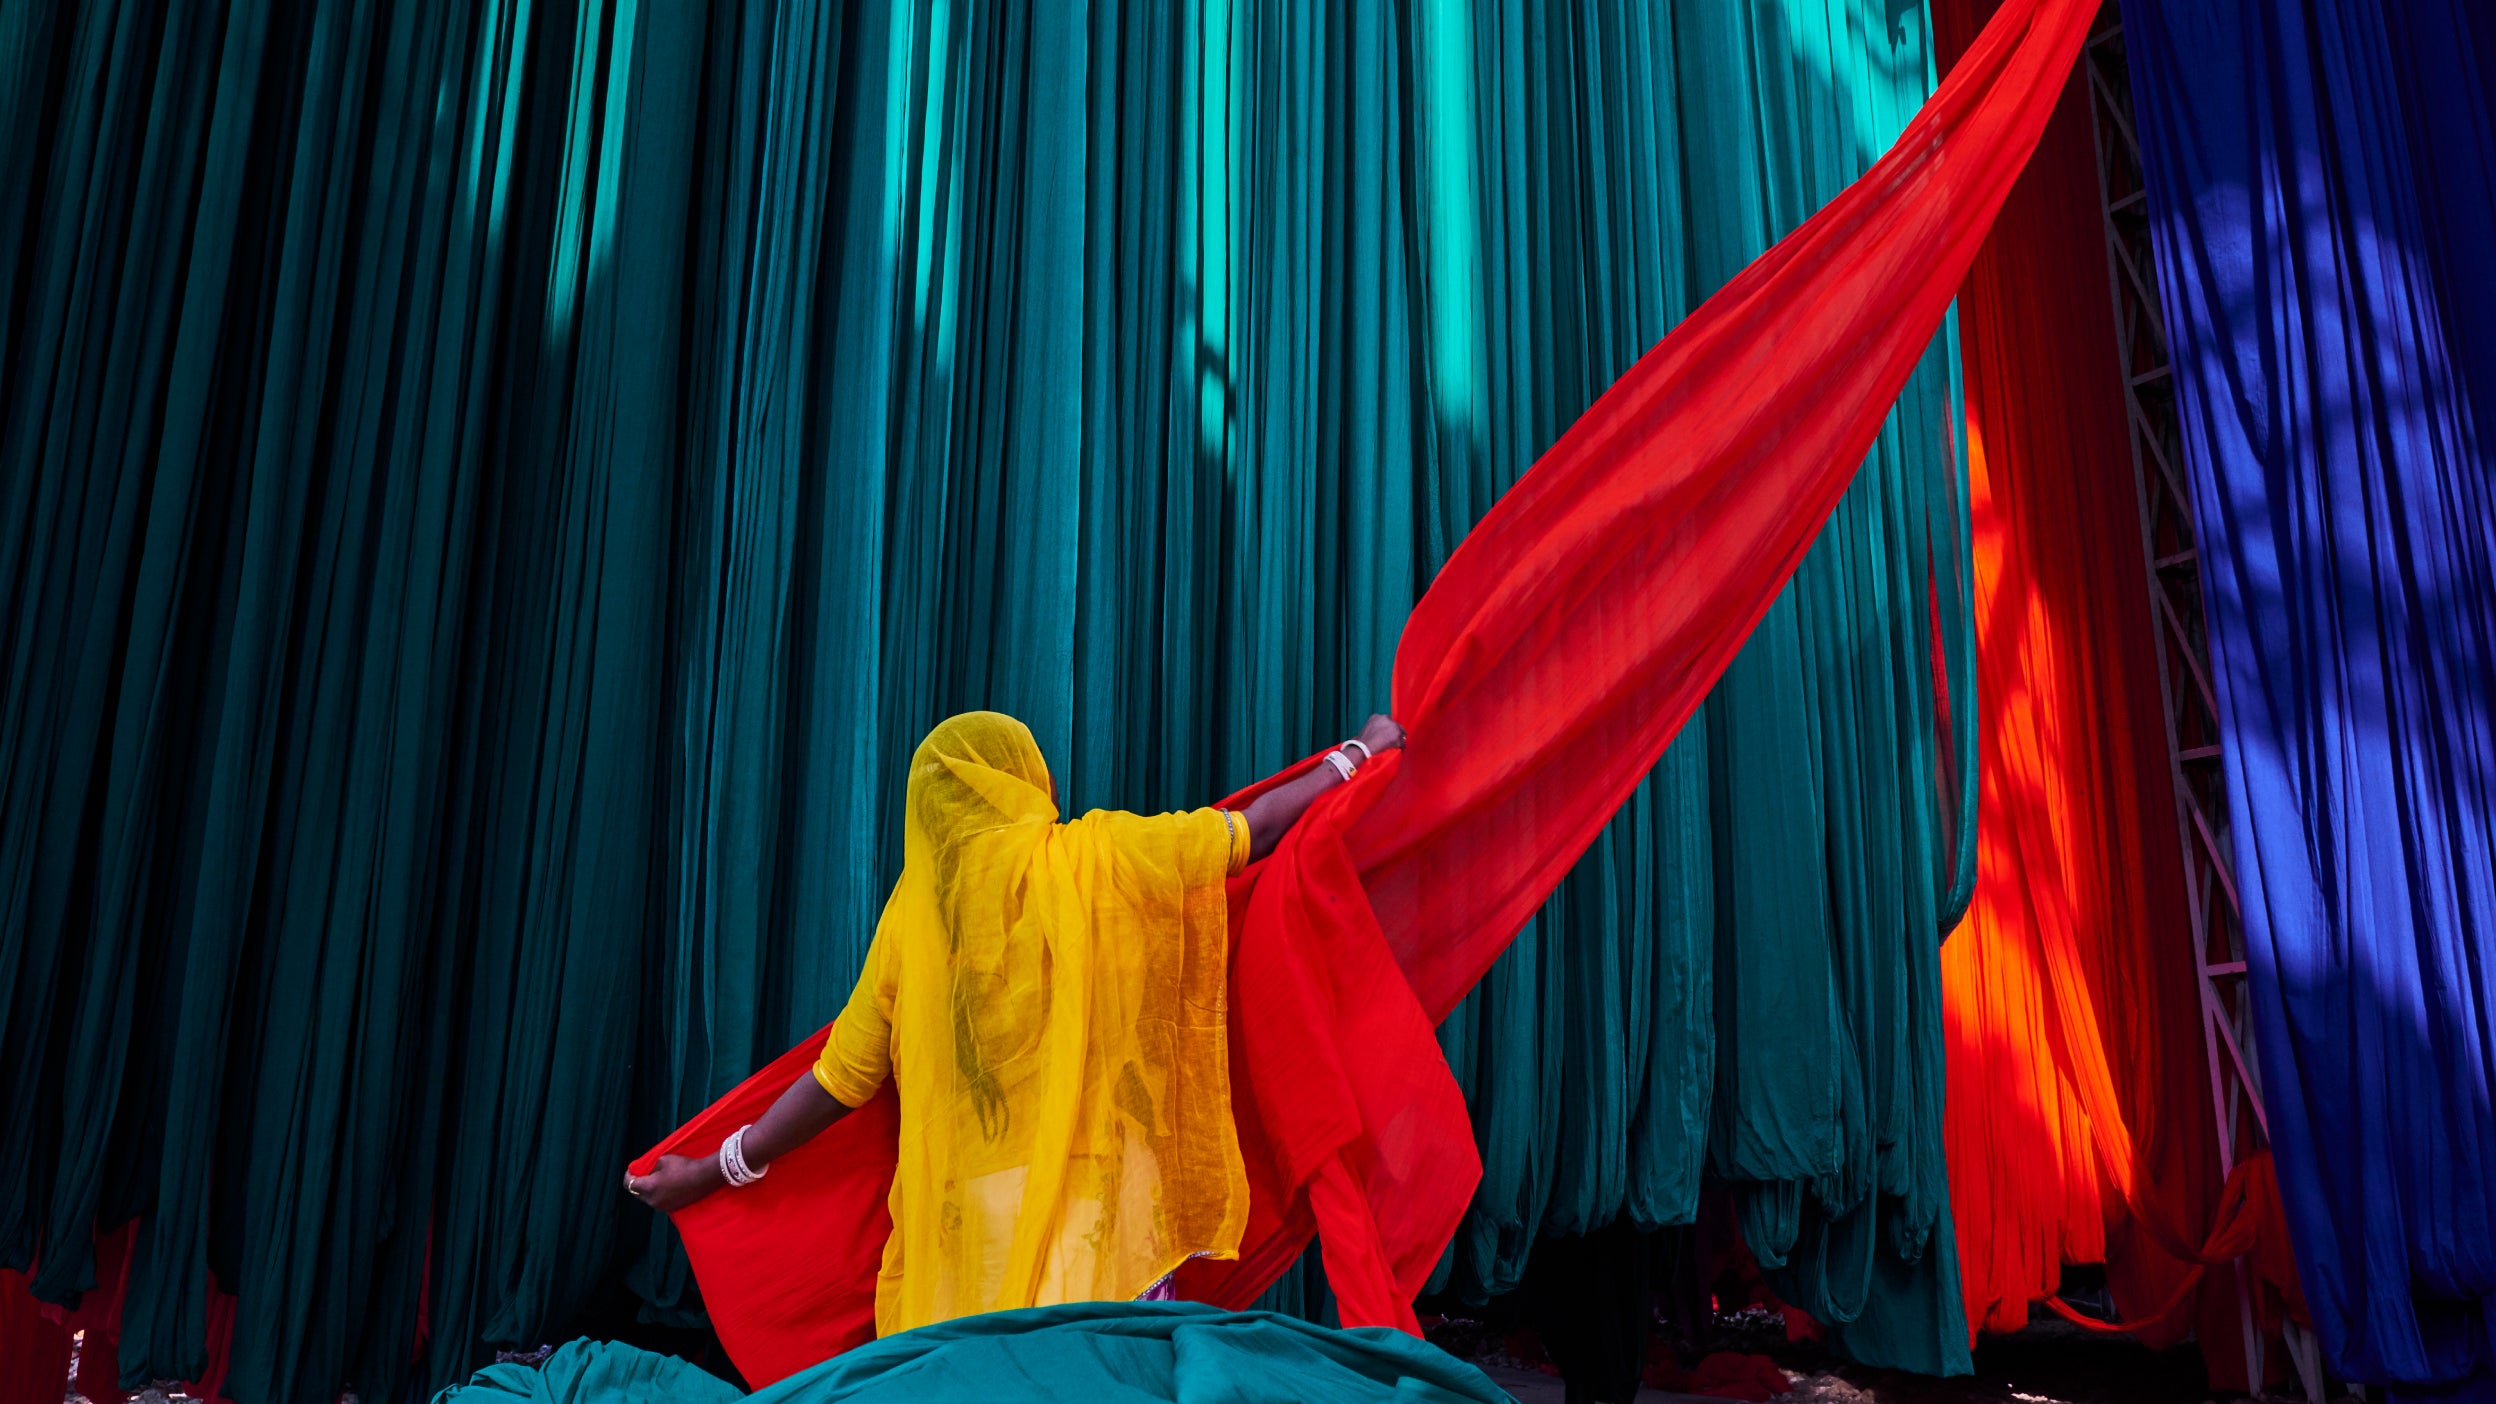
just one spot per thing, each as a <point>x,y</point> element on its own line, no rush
<point>2323,184</point>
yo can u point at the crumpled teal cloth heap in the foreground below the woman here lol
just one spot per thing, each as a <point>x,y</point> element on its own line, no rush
<point>1104,1353</point>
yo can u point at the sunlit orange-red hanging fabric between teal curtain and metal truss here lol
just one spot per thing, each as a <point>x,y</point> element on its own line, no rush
<point>2080,1113</point>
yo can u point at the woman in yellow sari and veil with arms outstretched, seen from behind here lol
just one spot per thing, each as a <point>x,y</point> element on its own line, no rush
<point>1050,1003</point>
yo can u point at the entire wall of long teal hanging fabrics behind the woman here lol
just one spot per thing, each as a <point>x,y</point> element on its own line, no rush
<point>493,493</point>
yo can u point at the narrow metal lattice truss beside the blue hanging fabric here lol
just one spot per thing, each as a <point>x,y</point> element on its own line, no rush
<point>2173,561</point>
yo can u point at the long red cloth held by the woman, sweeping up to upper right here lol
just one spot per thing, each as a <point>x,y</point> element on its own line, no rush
<point>1554,658</point>
